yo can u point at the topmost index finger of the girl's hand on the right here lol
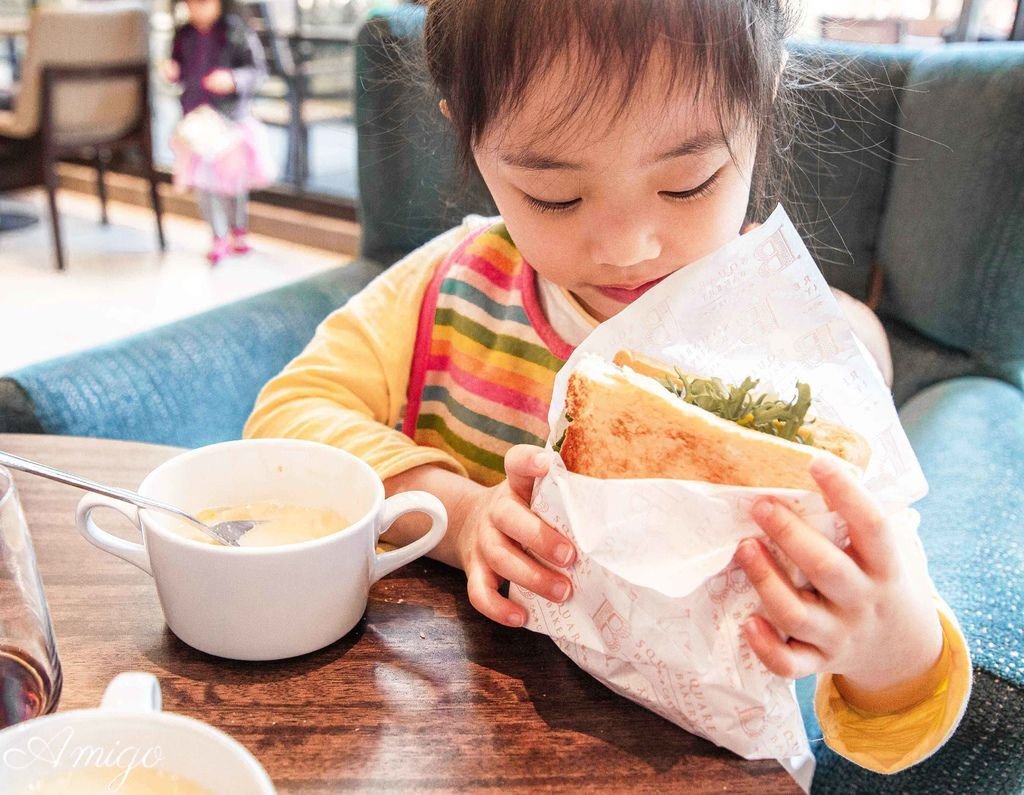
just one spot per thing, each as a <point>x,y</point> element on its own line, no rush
<point>871,538</point>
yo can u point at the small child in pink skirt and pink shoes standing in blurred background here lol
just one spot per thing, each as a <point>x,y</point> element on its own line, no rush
<point>220,148</point>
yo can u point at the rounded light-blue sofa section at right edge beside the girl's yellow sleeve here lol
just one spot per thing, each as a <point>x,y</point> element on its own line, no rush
<point>969,436</point>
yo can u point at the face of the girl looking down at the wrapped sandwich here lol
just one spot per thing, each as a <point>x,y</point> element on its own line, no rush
<point>608,207</point>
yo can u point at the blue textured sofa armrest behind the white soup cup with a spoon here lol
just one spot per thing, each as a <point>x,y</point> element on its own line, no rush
<point>189,384</point>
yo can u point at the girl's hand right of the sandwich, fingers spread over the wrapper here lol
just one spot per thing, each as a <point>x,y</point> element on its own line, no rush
<point>872,617</point>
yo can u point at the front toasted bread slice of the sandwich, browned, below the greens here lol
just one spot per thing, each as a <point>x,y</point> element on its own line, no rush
<point>628,426</point>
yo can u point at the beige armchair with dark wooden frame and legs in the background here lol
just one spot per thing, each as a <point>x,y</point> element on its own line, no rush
<point>86,89</point>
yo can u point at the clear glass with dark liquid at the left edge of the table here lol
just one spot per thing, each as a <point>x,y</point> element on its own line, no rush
<point>30,671</point>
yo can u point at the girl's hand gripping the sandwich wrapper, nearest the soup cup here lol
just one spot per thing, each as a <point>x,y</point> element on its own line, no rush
<point>499,536</point>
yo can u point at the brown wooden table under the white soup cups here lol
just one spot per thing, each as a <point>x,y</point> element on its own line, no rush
<point>424,694</point>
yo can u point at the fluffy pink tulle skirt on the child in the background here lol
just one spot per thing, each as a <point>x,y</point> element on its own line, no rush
<point>220,155</point>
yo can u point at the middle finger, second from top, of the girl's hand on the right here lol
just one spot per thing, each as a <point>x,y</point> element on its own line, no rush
<point>828,568</point>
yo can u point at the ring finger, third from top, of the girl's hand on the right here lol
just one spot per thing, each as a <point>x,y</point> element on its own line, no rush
<point>797,614</point>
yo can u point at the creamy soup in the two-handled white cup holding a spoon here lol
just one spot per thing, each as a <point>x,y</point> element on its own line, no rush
<point>280,523</point>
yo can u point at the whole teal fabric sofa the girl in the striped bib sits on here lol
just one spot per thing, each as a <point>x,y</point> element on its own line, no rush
<point>922,183</point>
